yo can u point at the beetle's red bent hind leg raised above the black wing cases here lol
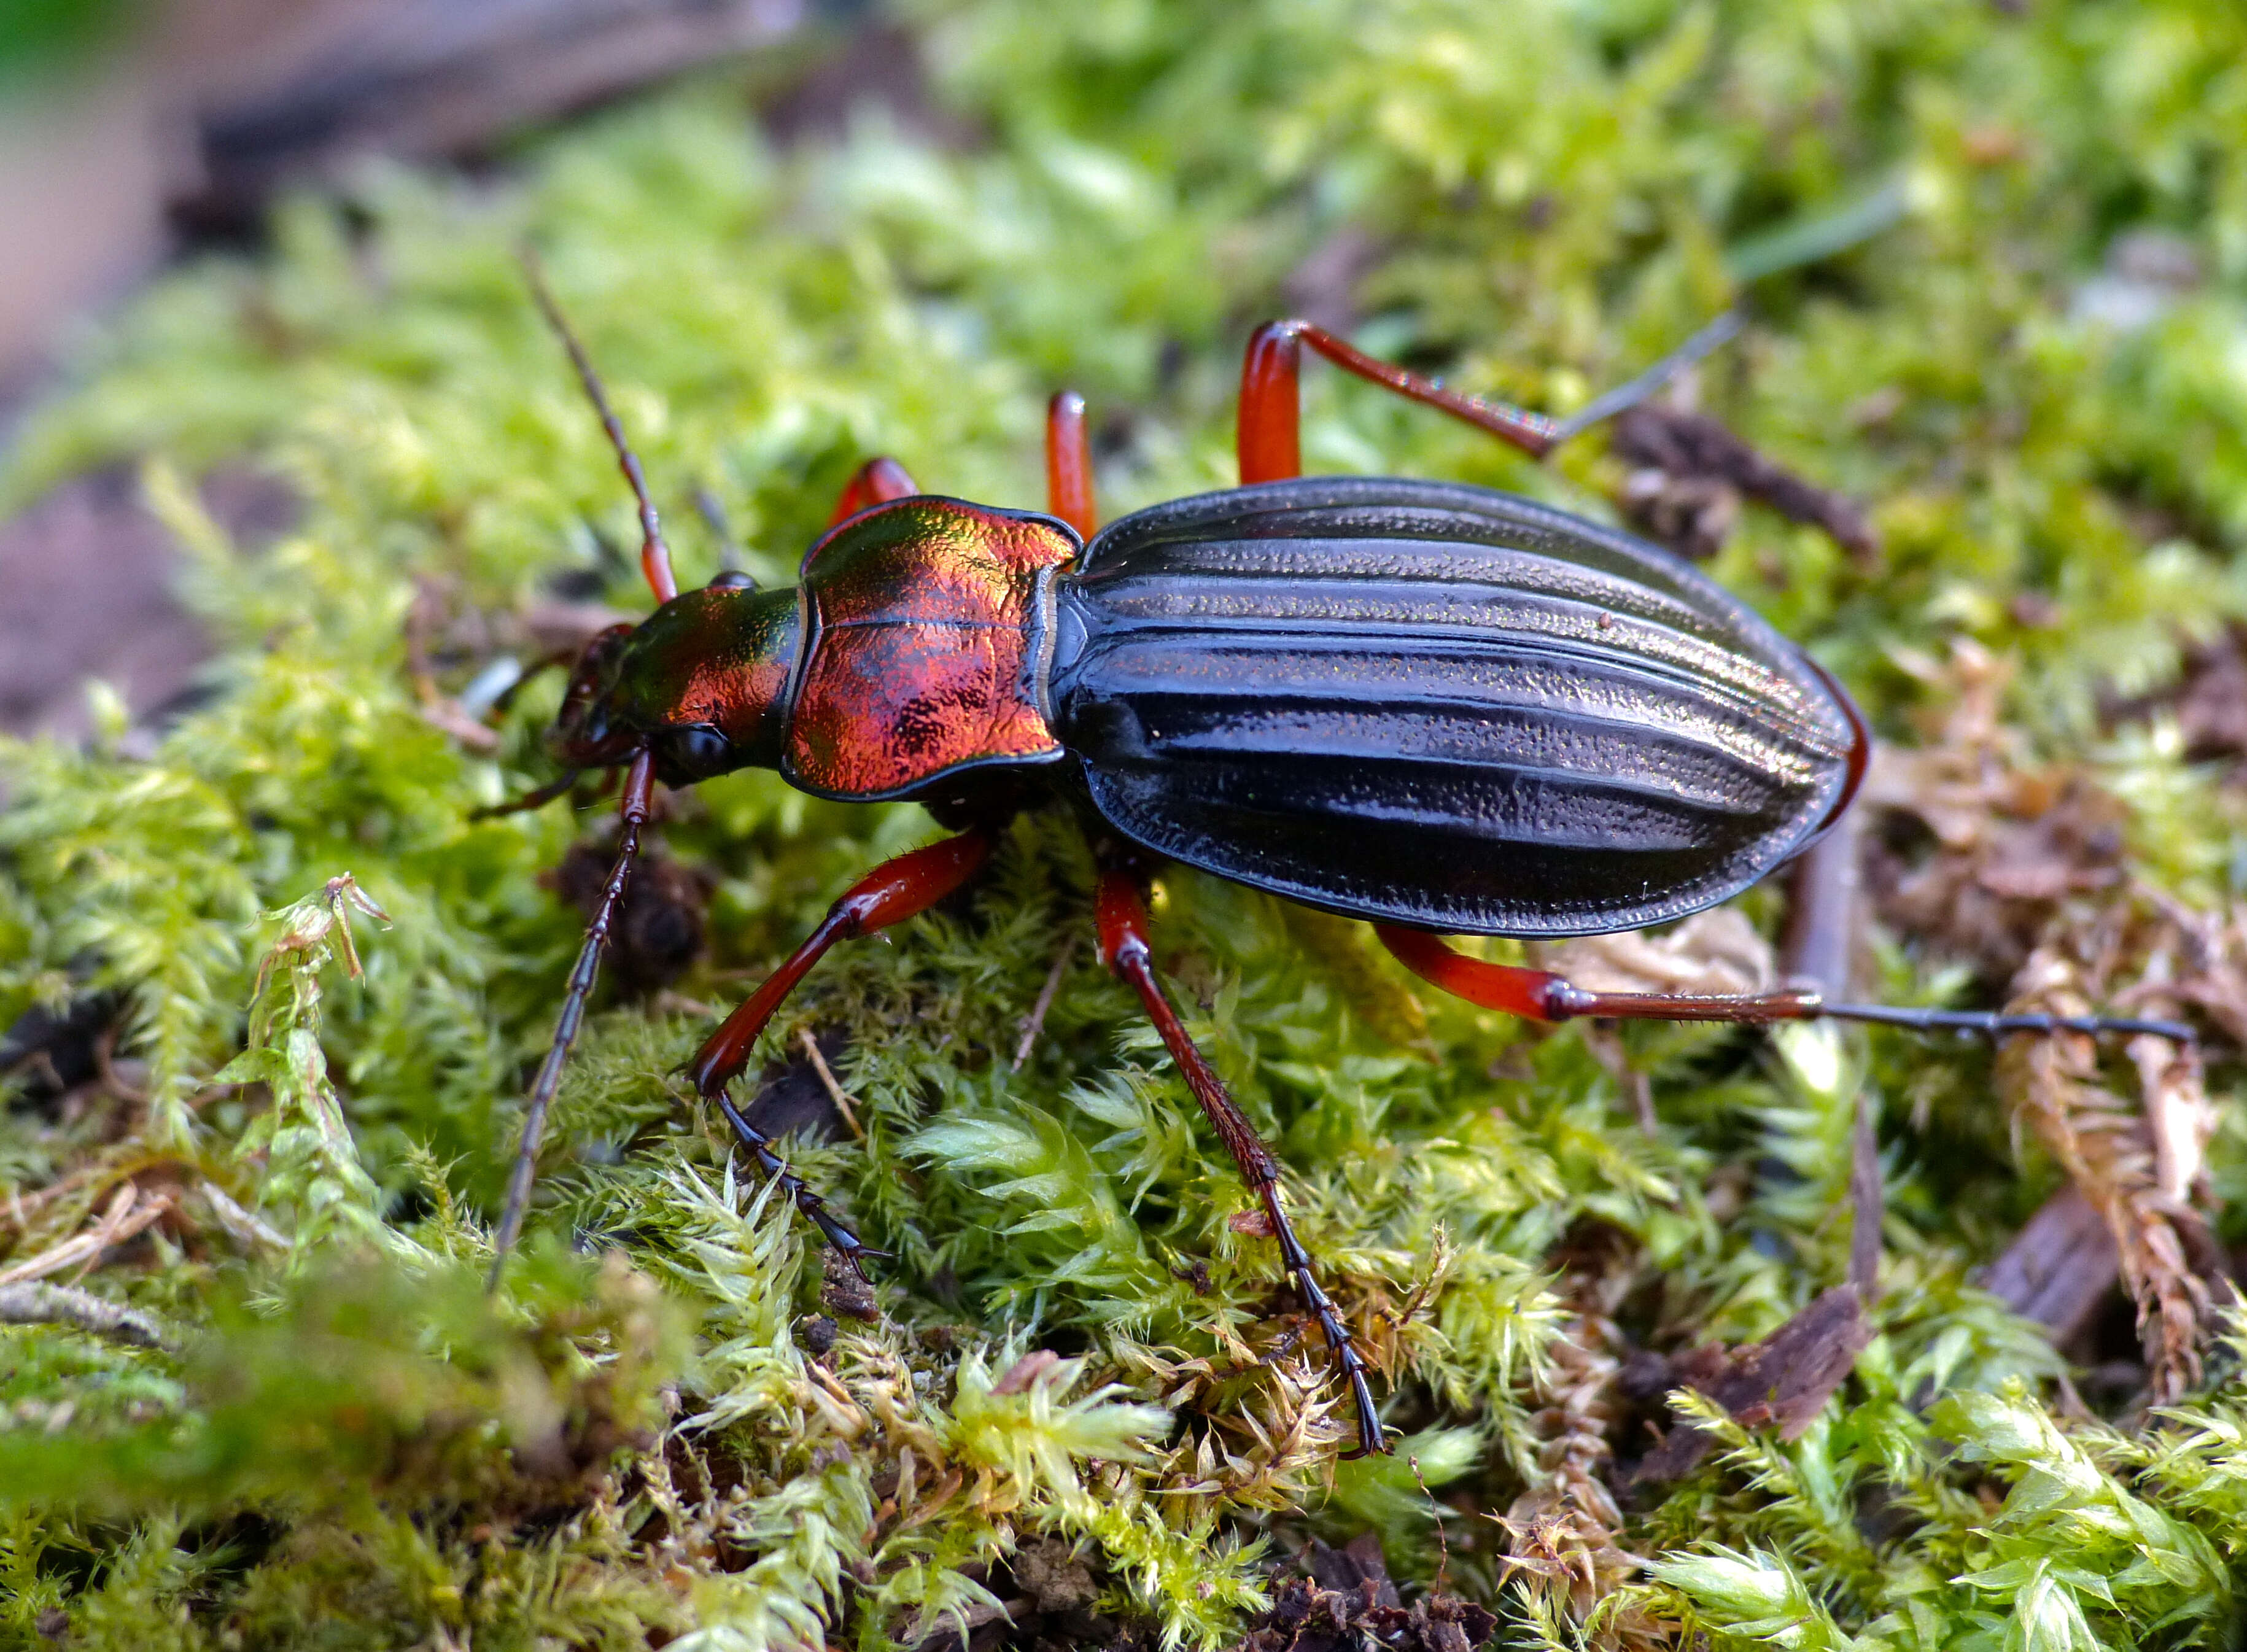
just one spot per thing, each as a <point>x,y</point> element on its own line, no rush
<point>1273,419</point>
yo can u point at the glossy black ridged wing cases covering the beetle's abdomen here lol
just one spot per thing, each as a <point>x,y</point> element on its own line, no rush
<point>1441,707</point>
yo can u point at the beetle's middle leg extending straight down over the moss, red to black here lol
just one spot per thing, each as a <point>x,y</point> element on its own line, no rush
<point>1125,950</point>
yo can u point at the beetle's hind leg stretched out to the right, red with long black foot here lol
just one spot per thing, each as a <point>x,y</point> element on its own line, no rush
<point>1538,995</point>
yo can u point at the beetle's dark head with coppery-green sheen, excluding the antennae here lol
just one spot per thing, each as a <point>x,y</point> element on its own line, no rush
<point>702,684</point>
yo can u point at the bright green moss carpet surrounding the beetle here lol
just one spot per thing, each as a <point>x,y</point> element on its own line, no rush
<point>340,1442</point>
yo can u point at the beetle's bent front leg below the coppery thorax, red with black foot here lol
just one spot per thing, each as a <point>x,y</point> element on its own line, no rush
<point>886,896</point>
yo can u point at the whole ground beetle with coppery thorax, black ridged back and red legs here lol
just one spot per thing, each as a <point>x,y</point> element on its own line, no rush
<point>1430,707</point>
